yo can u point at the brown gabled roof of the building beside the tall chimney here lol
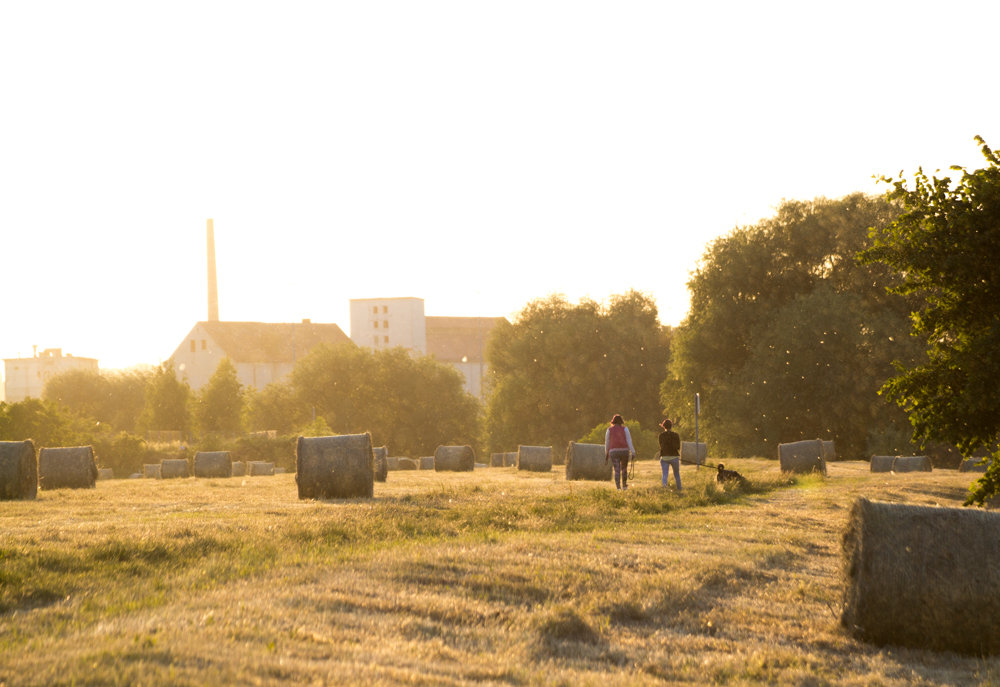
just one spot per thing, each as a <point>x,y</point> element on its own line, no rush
<point>271,342</point>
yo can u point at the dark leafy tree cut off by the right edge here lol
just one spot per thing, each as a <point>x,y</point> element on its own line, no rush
<point>946,249</point>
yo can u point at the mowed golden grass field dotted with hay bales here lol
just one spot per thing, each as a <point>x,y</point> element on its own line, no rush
<point>493,577</point>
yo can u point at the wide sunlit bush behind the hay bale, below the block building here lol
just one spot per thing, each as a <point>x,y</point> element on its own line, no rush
<point>411,403</point>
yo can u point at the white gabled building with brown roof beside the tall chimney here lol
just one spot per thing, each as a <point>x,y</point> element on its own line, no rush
<point>263,352</point>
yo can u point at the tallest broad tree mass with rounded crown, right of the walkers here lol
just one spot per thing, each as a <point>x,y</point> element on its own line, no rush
<point>788,336</point>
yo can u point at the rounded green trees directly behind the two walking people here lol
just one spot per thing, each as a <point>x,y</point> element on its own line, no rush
<point>560,368</point>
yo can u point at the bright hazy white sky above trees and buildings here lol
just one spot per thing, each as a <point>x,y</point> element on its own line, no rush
<point>477,155</point>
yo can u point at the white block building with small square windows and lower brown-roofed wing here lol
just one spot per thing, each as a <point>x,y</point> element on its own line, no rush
<point>457,341</point>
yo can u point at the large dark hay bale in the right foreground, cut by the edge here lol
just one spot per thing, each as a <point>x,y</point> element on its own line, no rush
<point>923,577</point>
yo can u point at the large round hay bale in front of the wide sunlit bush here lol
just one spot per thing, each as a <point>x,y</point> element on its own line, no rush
<point>340,467</point>
